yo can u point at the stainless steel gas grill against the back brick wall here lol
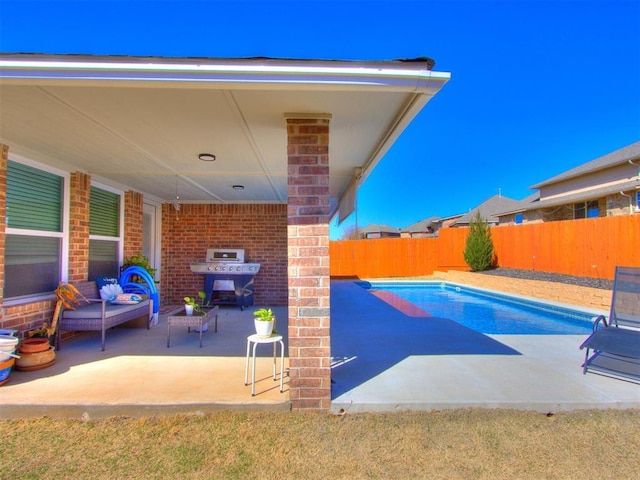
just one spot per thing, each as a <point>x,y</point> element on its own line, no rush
<point>228,279</point>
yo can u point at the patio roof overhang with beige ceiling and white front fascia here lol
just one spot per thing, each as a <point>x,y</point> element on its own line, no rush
<point>140,123</point>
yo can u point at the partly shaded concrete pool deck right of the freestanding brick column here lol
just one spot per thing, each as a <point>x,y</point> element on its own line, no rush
<point>386,360</point>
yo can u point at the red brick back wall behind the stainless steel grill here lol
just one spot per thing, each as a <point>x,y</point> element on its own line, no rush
<point>261,229</point>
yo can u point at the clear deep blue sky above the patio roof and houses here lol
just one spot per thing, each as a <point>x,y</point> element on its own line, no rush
<point>537,87</point>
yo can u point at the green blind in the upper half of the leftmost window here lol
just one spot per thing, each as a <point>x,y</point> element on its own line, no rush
<point>34,198</point>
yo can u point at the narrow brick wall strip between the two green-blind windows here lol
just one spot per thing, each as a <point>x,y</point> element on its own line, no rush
<point>80,186</point>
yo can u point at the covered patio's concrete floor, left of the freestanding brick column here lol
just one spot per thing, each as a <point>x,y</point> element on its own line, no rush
<point>137,375</point>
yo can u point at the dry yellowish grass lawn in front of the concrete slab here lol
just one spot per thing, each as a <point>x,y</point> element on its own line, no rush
<point>450,444</point>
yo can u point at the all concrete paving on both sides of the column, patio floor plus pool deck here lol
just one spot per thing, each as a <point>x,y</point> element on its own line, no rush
<point>384,360</point>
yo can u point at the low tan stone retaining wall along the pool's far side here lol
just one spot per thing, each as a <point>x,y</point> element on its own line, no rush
<point>557,292</point>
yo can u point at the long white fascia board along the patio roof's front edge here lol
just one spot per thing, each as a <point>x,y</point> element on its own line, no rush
<point>386,77</point>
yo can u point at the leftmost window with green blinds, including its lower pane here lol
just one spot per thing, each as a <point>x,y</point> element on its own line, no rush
<point>33,248</point>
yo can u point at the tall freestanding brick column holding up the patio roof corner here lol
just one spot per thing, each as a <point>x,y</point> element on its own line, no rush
<point>308,262</point>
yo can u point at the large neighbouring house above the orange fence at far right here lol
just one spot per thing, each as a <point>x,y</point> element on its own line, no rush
<point>606,186</point>
